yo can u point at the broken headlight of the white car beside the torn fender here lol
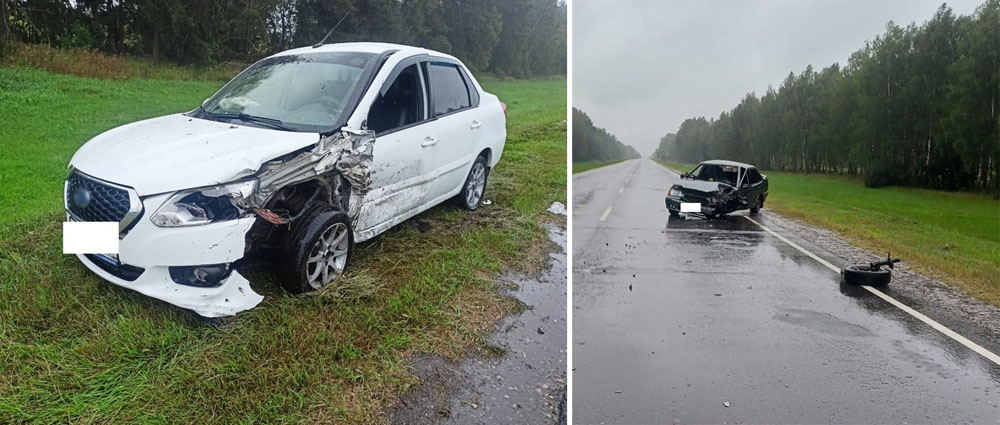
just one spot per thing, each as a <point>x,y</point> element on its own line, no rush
<point>206,205</point>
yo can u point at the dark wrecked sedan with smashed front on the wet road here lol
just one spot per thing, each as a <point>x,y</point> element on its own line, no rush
<point>718,187</point>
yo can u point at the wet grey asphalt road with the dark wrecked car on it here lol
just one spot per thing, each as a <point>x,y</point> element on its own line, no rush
<point>717,321</point>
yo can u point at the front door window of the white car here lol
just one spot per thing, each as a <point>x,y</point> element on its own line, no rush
<point>401,105</point>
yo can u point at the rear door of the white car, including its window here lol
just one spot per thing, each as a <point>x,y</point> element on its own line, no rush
<point>453,105</point>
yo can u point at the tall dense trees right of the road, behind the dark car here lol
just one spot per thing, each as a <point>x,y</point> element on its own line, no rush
<point>917,106</point>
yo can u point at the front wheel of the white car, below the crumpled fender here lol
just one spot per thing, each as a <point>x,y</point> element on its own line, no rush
<point>317,249</point>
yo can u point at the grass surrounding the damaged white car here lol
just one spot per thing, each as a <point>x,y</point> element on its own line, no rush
<point>76,349</point>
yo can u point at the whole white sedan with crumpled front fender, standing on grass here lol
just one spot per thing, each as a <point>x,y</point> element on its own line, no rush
<point>300,156</point>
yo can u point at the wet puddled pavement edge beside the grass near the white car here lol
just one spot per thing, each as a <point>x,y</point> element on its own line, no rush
<point>526,384</point>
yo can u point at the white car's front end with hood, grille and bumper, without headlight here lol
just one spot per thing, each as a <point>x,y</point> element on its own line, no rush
<point>134,170</point>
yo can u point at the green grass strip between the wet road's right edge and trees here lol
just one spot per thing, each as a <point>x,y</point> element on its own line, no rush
<point>953,236</point>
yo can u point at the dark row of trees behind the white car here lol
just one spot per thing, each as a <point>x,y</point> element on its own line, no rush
<point>510,37</point>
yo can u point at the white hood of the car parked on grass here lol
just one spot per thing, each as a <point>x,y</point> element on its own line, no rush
<point>176,152</point>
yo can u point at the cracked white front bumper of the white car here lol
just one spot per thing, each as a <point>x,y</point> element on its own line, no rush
<point>155,249</point>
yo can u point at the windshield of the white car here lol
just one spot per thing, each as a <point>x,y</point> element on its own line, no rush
<point>307,93</point>
